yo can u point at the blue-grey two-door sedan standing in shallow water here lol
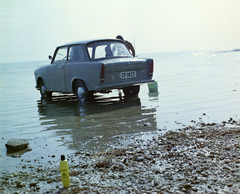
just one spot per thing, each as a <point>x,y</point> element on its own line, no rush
<point>87,67</point>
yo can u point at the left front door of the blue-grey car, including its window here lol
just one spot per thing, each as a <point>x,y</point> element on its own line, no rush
<point>56,79</point>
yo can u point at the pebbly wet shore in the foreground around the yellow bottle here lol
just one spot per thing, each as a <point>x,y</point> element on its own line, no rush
<point>199,158</point>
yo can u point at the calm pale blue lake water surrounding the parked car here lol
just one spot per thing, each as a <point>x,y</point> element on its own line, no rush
<point>191,86</point>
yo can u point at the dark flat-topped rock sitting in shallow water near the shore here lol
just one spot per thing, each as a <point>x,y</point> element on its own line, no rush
<point>15,145</point>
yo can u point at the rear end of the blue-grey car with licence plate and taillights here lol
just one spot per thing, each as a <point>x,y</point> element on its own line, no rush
<point>119,73</point>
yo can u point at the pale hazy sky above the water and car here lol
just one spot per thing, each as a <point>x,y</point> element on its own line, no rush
<point>30,30</point>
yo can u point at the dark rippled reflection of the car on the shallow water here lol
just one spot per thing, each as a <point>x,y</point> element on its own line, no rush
<point>94,124</point>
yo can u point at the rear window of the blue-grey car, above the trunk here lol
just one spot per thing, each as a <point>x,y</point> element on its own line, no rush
<point>107,49</point>
